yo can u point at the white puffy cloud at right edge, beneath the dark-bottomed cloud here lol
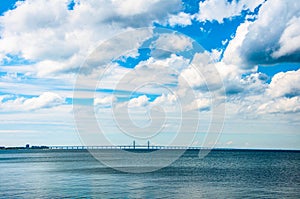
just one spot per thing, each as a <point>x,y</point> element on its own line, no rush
<point>281,96</point>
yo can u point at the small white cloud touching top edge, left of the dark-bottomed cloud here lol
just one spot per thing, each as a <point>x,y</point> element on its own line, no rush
<point>218,10</point>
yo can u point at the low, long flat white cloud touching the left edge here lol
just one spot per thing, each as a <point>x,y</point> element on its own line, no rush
<point>45,100</point>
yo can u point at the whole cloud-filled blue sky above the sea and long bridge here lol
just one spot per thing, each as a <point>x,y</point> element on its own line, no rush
<point>196,73</point>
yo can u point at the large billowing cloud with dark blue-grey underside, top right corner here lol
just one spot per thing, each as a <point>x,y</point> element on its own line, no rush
<point>265,42</point>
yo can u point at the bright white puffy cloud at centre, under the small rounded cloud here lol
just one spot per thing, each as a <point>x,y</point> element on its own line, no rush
<point>151,75</point>
